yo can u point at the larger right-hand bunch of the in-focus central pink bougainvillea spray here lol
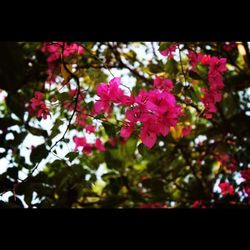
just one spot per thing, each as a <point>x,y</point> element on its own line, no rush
<point>156,110</point>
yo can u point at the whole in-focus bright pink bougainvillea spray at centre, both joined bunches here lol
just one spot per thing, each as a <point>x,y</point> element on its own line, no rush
<point>156,110</point>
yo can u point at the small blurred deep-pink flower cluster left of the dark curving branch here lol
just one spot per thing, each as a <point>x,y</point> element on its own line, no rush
<point>38,105</point>
